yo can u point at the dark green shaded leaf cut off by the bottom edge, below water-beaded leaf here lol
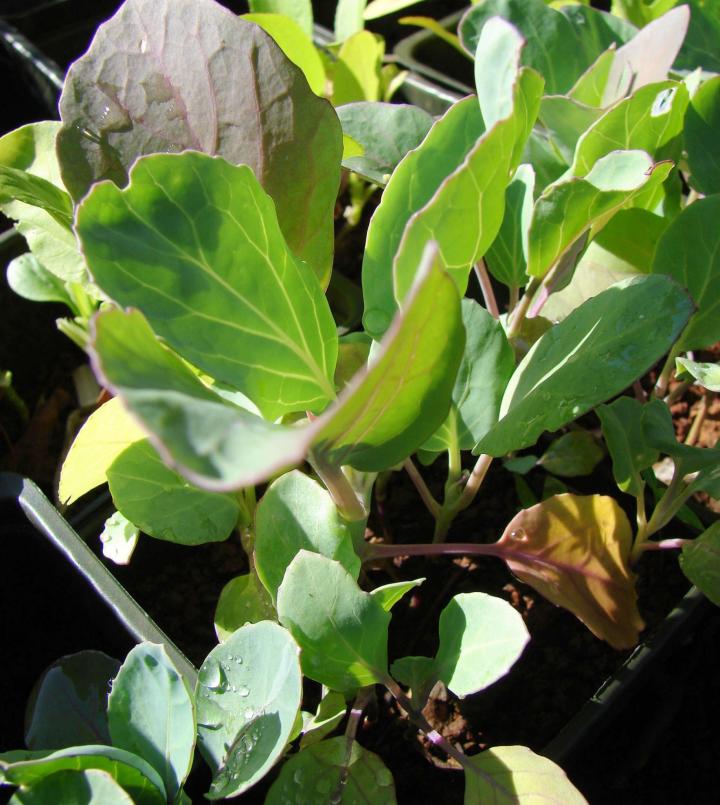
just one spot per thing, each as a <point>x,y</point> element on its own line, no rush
<point>328,773</point>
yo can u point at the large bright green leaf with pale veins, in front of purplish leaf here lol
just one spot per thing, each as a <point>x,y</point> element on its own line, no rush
<point>173,244</point>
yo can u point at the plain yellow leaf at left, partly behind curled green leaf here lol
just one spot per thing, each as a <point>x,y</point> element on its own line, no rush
<point>107,432</point>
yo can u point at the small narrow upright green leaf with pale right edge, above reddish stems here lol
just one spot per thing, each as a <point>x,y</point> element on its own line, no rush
<point>507,256</point>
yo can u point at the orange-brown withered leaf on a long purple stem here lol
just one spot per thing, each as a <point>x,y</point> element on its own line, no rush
<point>574,550</point>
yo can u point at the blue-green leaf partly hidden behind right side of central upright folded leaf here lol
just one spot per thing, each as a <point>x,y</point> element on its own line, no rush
<point>485,370</point>
